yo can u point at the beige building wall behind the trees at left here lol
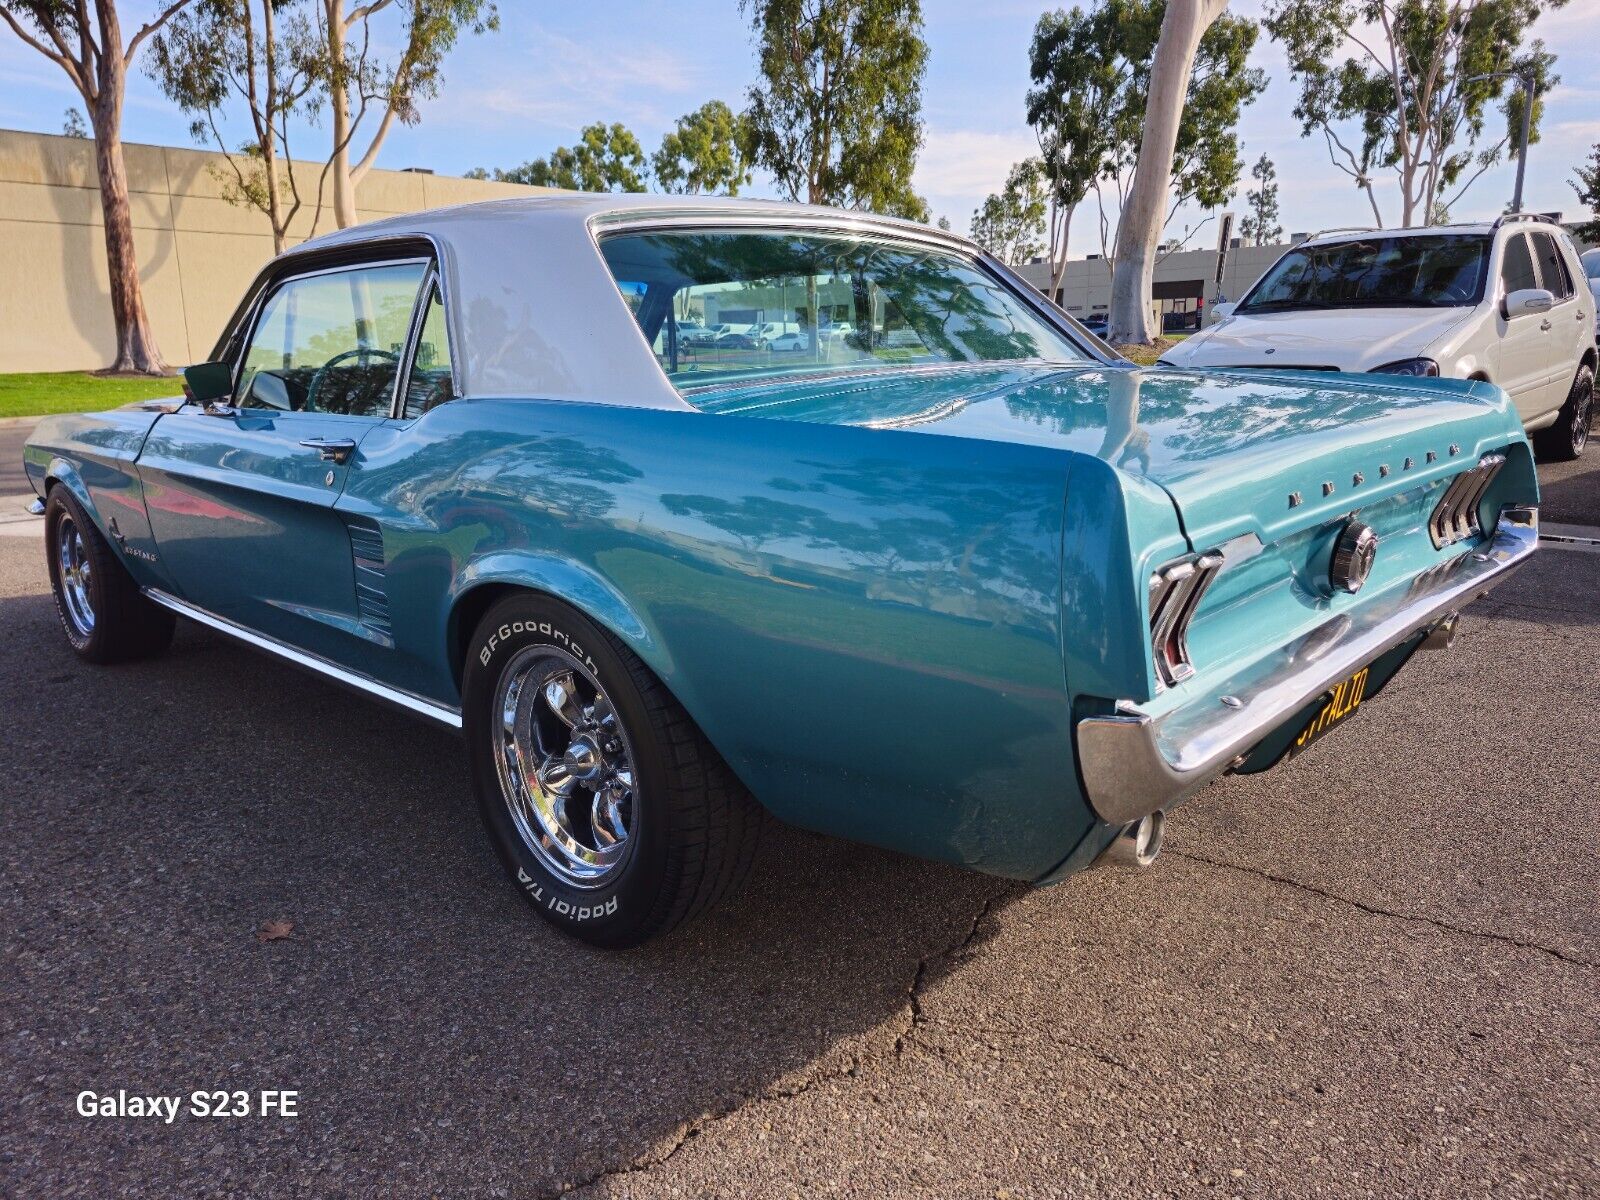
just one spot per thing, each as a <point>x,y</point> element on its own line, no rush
<point>198,254</point>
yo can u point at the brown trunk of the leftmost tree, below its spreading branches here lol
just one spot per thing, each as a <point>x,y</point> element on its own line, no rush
<point>137,350</point>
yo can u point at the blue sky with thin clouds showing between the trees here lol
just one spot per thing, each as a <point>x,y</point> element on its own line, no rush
<point>556,68</point>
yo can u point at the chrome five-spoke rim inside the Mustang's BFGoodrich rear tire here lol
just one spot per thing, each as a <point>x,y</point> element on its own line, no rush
<point>566,767</point>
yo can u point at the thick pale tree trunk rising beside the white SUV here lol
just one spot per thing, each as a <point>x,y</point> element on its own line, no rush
<point>1140,230</point>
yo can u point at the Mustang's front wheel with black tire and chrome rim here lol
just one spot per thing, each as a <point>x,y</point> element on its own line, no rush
<point>105,615</point>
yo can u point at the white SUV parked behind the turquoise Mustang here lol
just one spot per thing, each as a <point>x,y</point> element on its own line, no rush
<point>1505,302</point>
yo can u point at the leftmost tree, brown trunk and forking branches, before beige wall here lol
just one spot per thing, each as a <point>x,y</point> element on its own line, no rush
<point>86,41</point>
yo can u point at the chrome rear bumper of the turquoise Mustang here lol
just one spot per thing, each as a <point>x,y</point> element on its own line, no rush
<point>1135,764</point>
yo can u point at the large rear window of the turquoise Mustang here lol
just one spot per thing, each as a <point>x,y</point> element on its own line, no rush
<point>818,305</point>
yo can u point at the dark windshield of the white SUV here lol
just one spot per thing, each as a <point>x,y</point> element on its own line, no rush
<point>1393,273</point>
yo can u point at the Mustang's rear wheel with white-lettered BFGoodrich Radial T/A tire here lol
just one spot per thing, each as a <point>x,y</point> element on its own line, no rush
<point>610,810</point>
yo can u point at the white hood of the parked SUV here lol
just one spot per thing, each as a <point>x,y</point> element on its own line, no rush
<point>1346,340</point>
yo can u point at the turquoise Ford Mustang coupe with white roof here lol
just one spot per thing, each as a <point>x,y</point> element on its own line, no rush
<point>938,572</point>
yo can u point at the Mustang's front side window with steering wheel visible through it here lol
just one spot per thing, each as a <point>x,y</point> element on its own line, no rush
<point>332,343</point>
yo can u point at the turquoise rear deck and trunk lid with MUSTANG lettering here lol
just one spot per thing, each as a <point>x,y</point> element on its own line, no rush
<point>1230,449</point>
